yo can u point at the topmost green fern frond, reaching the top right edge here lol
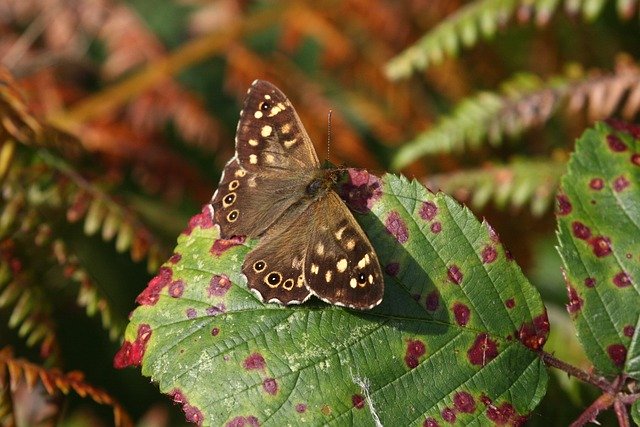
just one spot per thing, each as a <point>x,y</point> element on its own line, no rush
<point>481,19</point>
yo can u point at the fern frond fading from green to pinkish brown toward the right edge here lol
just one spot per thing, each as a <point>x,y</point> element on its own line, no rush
<point>525,101</point>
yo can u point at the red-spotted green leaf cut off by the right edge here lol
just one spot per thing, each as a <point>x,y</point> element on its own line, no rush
<point>599,225</point>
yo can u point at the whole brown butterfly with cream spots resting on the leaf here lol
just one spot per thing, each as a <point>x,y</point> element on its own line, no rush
<point>275,189</point>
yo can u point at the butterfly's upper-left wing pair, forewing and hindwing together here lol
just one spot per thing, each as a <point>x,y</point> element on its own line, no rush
<point>265,182</point>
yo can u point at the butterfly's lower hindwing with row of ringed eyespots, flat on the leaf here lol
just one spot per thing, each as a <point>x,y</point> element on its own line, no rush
<point>274,268</point>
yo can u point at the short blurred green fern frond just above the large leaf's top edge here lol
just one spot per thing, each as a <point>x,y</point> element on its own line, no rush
<point>520,182</point>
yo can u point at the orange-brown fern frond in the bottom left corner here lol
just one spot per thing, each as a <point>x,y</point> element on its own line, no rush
<point>15,371</point>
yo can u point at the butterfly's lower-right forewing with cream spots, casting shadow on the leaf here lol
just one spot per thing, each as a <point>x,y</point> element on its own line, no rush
<point>341,266</point>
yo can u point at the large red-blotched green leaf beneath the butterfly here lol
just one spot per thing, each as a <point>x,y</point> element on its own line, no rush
<point>455,336</point>
